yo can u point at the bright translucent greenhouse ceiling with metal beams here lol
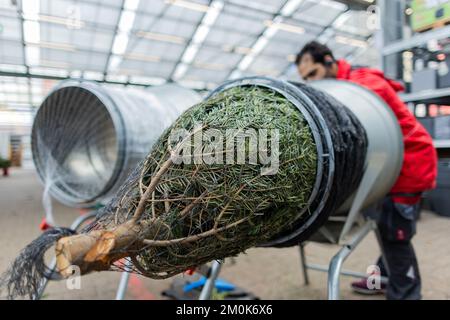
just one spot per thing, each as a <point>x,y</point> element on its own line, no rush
<point>197,43</point>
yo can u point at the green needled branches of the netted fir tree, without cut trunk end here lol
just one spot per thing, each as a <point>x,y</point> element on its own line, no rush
<point>221,196</point>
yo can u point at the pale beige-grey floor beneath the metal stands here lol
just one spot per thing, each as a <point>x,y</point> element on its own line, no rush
<point>268,273</point>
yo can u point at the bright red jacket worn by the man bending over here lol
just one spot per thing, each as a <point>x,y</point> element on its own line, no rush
<point>419,168</point>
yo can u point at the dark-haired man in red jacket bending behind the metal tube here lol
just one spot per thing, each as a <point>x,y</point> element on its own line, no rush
<point>399,210</point>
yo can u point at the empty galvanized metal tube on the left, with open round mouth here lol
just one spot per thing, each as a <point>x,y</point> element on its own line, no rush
<point>86,137</point>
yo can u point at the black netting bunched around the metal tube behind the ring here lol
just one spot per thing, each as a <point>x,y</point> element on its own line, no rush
<point>350,147</point>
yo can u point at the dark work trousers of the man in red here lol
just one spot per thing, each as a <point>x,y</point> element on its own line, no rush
<point>397,226</point>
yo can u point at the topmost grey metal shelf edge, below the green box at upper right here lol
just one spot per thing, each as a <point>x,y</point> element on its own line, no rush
<point>417,40</point>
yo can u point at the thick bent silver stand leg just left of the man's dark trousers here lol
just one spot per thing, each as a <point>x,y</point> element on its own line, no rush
<point>337,261</point>
